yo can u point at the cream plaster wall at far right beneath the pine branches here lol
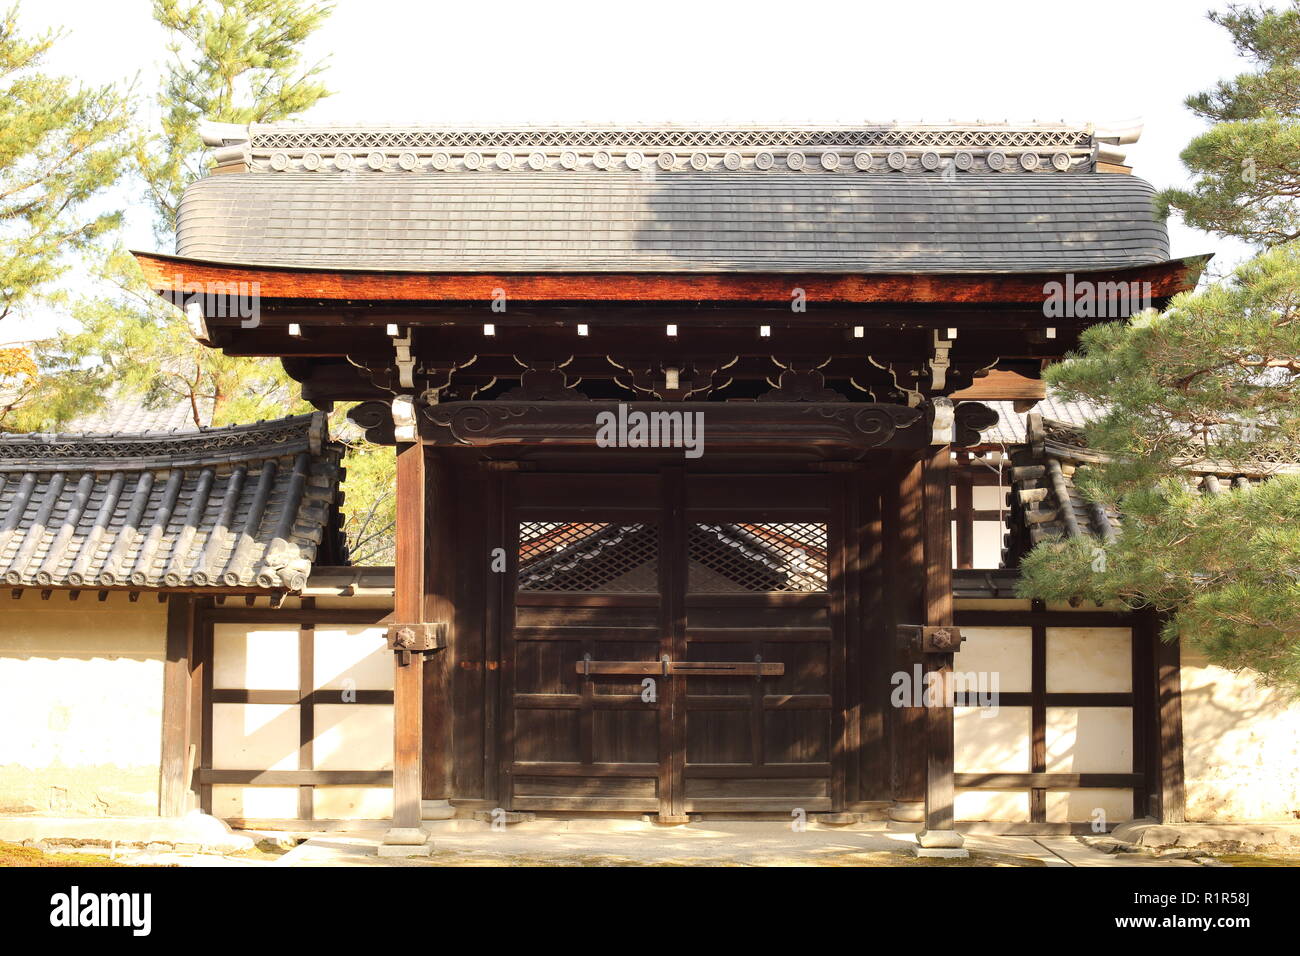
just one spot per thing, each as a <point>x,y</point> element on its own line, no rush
<point>1241,746</point>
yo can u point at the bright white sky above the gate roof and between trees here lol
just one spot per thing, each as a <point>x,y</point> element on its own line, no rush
<point>712,62</point>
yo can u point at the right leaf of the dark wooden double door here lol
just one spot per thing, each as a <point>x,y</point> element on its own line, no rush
<point>759,589</point>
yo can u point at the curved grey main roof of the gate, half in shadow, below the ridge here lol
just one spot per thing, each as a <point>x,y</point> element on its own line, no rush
<point>625,222</point>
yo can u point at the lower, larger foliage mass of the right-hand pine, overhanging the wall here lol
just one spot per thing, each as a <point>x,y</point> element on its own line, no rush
<point>1215,379</point>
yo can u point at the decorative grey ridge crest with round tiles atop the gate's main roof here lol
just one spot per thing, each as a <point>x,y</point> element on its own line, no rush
<point>817,149</point>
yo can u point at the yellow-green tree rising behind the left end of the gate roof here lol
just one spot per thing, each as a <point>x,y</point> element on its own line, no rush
<point>229,62</point>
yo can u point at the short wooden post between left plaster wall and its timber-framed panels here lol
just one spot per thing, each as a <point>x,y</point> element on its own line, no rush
<point>176,794</point>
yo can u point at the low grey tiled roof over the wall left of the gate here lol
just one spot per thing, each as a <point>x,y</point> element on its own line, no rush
<point>246,508</point>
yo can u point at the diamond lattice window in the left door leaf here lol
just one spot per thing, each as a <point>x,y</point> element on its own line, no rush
<point>588,557</point>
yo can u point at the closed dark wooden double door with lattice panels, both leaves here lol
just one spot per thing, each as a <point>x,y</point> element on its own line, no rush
<point>674,644</point>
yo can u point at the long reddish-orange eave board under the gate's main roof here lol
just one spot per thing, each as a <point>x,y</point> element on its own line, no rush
<point>176,275</point>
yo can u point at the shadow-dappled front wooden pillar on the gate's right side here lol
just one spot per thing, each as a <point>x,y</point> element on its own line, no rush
<point>941,791</point>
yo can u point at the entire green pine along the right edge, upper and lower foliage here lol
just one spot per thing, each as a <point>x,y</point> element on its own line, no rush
<point>1215,379</point>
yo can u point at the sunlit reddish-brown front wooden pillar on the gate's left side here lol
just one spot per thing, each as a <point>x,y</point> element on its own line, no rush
<point>409,668</point>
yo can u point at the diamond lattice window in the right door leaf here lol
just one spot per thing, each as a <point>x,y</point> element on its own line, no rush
<point>772,556</point>
